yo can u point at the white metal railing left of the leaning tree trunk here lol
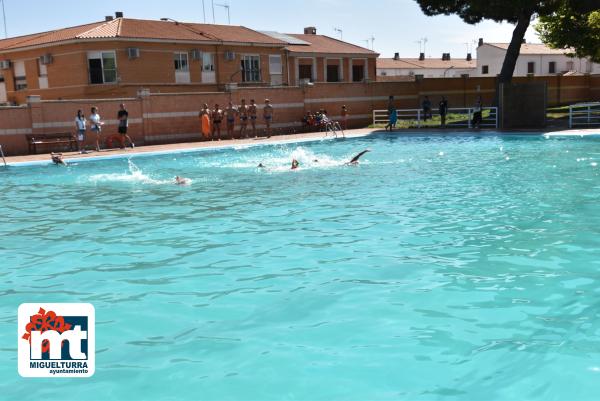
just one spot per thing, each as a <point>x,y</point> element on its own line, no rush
<point>457,117</point>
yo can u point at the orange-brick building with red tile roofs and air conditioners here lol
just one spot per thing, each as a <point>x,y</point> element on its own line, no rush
<point>119,56</point>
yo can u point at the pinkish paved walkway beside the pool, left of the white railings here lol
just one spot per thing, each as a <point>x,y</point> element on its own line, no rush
<point>184,146</point>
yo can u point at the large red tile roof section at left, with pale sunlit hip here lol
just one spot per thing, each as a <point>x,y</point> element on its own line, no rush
<point>127,28</point>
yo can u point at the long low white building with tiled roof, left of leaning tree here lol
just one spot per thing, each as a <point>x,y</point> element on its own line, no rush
<point>441,67</point>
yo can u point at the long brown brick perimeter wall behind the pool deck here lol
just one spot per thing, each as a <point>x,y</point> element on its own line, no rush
<point>163,117</point>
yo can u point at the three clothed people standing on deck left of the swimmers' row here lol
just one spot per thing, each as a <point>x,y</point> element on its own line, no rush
<point>96,124</point>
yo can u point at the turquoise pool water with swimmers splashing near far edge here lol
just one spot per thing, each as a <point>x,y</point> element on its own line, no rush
<point>450,268</point>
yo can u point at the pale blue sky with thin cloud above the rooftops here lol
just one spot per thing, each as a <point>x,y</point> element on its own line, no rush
<point>395,25</point>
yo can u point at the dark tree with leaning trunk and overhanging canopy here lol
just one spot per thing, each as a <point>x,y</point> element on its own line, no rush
<point>518,12</point>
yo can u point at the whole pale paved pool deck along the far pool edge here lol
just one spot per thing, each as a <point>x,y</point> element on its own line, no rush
<point>276,139</point>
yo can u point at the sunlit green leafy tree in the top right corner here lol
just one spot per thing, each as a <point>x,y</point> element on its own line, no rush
<point>575,26</point>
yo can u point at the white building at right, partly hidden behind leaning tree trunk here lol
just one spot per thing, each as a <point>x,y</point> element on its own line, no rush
<point>536,59</point>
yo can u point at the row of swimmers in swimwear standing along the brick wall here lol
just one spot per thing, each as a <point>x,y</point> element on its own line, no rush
<point>212,119</point>
